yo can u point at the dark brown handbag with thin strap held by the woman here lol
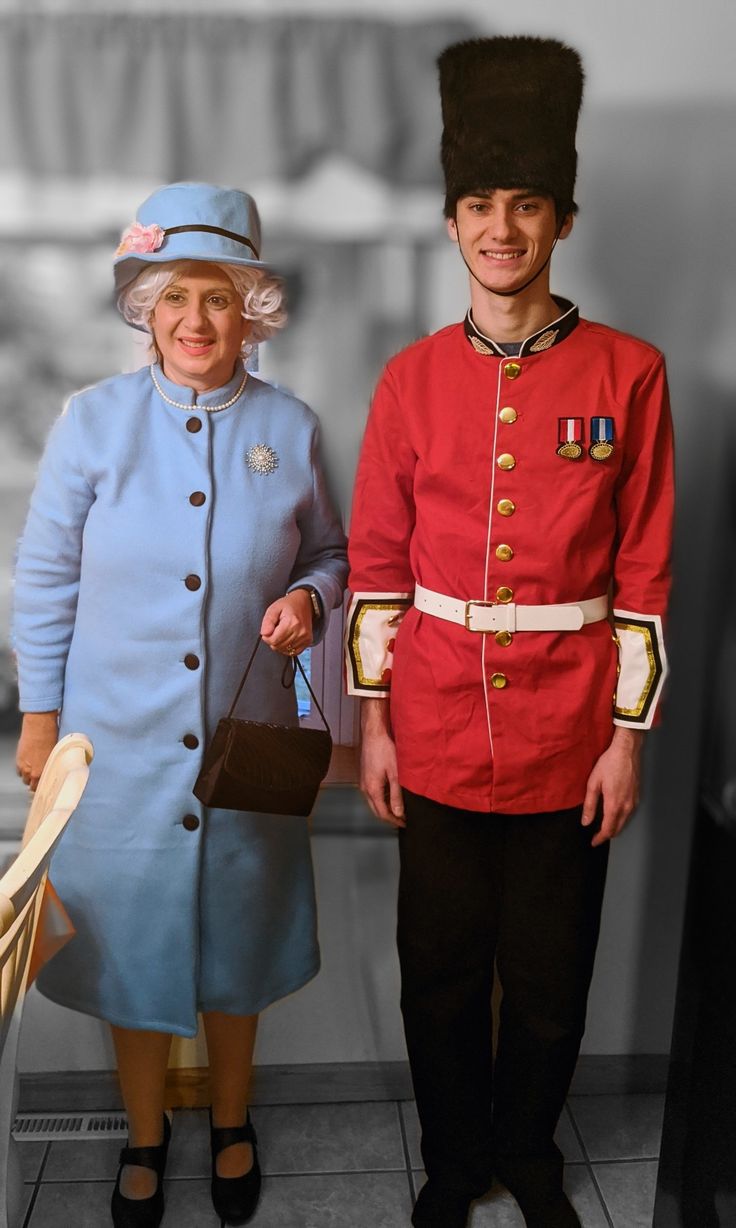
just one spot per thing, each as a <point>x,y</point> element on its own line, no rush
<point>251,766</point>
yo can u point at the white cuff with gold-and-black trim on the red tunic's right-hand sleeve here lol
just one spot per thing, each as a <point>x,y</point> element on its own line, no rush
<point>642,669</point>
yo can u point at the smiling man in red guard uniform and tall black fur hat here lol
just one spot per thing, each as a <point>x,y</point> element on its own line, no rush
<point>511,548</point>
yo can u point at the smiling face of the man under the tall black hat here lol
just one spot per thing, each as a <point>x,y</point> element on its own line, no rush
<point>506,235</point>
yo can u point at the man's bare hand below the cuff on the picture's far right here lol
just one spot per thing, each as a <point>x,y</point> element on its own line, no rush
<point>616,780</point>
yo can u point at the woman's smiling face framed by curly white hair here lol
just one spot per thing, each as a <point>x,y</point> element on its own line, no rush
<point>198,327</point>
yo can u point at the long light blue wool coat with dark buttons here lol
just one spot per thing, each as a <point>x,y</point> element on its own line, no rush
<point>171,920</point>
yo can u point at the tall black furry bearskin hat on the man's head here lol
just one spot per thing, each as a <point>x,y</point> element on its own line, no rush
<point>511,112</point>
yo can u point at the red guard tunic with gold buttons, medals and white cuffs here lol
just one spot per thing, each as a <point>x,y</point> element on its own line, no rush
<point>480,723</point>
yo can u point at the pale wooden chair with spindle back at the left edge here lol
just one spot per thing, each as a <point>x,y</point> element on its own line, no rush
<point>22,895</point>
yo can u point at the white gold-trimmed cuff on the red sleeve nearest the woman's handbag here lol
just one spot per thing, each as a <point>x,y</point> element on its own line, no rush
<point>373,623</point>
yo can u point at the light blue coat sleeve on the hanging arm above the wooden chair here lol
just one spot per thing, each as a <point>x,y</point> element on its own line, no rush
<point>49,565</point>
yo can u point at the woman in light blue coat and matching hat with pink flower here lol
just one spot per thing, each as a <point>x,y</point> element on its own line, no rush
<point>180,511</point>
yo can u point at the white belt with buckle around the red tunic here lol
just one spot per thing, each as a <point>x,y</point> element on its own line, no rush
<point>488,617</point>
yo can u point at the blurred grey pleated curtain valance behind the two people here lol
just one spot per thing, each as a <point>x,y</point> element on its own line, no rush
<point>196,96</point>
